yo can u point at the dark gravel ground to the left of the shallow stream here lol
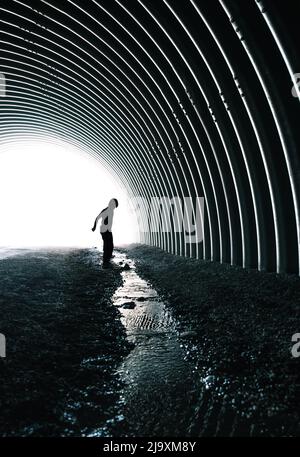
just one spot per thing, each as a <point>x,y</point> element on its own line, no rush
<point>64,340</point>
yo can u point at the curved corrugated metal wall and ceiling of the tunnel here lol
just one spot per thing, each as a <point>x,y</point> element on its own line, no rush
<point>180,98</point>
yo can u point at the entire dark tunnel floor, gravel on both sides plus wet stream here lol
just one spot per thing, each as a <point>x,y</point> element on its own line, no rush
<point>163,347</point>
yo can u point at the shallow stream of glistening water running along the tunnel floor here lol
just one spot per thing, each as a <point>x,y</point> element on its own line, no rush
<point>161,387</point>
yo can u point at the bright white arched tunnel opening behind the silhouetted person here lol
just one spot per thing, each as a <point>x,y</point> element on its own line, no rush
<point>52,192</point>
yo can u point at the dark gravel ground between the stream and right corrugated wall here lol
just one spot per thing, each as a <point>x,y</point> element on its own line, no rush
<point>236,325</point>
